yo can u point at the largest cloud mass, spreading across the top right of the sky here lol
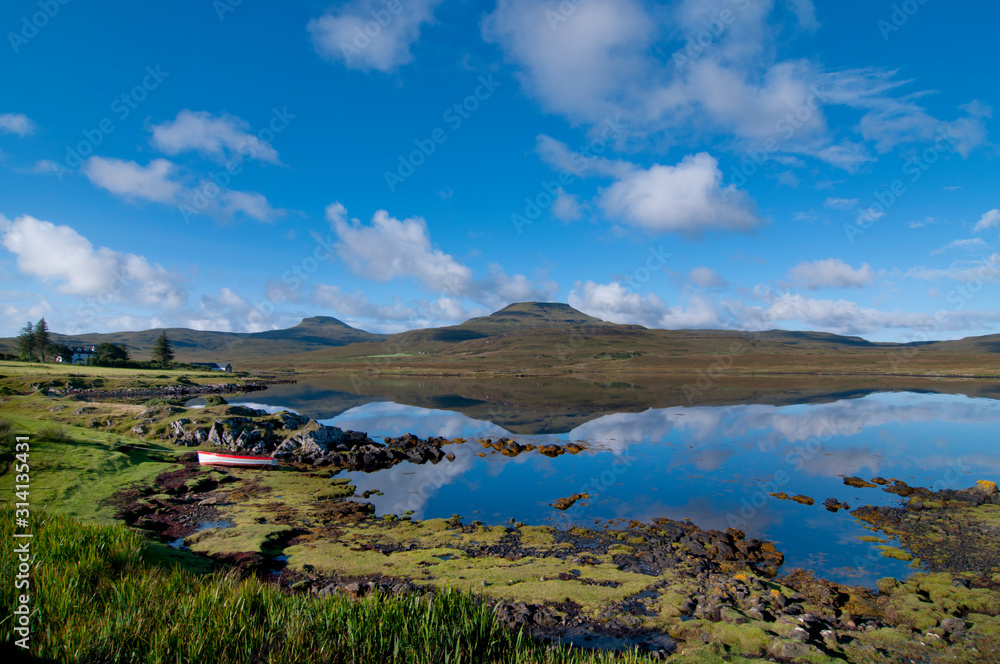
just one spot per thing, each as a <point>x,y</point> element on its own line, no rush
<point>605,58</point>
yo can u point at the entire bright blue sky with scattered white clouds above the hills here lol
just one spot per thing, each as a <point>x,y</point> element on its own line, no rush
<point>407,163</point>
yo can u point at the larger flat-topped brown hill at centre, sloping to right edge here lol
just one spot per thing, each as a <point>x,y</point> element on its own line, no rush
<point>543,339</point>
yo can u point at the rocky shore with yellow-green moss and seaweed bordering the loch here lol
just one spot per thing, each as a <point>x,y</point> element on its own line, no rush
<point>667,587</point>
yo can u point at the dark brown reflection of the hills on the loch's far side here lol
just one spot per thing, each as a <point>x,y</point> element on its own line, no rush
<point>549,406</point>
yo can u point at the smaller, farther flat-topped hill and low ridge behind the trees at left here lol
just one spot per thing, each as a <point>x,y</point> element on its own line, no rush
<point>206,345</point>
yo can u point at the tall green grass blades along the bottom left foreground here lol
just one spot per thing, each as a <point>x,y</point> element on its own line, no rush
<point>98,596</point>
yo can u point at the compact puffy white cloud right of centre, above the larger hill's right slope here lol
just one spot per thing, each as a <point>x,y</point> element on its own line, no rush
<point>688,198</point>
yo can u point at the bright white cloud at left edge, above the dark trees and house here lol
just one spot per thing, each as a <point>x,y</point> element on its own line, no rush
<point>59,254</point>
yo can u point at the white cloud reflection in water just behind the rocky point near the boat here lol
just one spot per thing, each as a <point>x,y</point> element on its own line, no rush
<point>392,419</point>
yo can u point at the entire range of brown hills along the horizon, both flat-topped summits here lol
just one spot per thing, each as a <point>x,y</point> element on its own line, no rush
<point>550,338</point>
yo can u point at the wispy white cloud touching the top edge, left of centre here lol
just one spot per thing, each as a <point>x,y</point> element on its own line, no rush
<point>367,34</point>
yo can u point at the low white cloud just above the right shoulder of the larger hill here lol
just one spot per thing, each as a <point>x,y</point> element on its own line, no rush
<point>614,302</point>
